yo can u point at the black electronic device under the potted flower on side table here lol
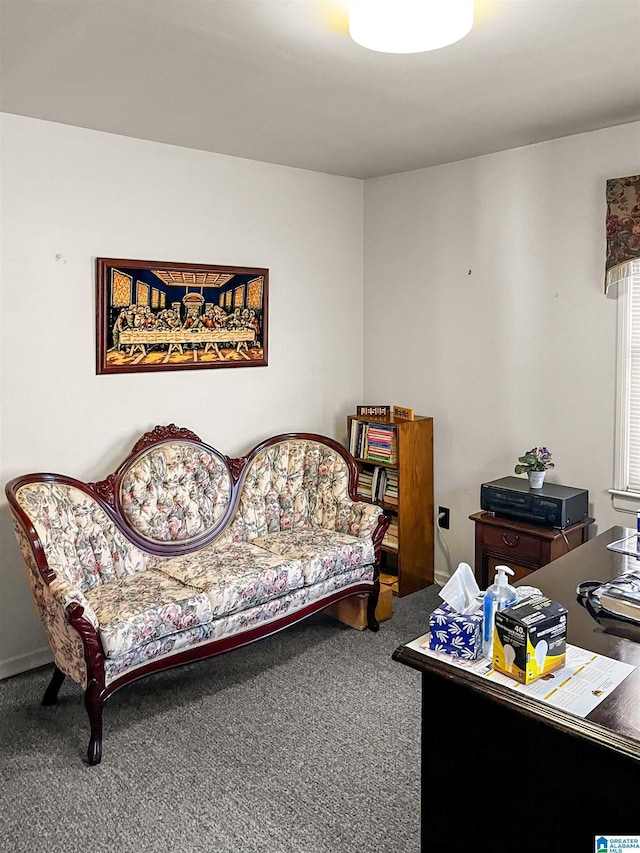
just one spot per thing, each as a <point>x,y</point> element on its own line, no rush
<point>550,506</point>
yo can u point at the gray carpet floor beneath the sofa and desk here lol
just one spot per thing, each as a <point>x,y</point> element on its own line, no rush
<point>306,742</point>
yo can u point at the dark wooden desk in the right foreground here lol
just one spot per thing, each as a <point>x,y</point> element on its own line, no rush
<point>556,780</point>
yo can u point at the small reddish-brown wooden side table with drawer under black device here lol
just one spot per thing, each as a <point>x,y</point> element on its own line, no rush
<point>521,546</point>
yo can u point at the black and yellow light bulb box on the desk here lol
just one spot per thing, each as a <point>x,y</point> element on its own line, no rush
<point>530,638</point>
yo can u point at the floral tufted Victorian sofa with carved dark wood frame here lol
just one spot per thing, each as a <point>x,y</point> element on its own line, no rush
<point>184,553</point>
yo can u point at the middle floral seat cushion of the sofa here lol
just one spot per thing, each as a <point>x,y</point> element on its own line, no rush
<point>236,575</point>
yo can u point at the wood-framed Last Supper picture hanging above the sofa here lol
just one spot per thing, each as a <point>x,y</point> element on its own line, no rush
<point>155,315</point>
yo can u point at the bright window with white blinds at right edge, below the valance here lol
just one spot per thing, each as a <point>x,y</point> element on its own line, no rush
<point>626,484</point>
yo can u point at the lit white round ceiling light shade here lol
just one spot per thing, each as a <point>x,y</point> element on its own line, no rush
<point>409,26</point>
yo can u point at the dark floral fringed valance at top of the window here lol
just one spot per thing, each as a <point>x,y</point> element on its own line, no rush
<point>623,228</point>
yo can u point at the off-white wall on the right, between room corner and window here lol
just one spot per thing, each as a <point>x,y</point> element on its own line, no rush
<point>484,308</point>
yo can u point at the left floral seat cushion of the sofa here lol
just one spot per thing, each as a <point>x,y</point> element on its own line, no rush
<point>145,606</point>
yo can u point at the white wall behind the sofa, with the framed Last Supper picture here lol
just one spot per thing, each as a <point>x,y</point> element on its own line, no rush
<point>70,195</point>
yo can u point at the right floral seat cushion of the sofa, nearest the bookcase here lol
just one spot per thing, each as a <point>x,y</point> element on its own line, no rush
<point>323,552</point>
